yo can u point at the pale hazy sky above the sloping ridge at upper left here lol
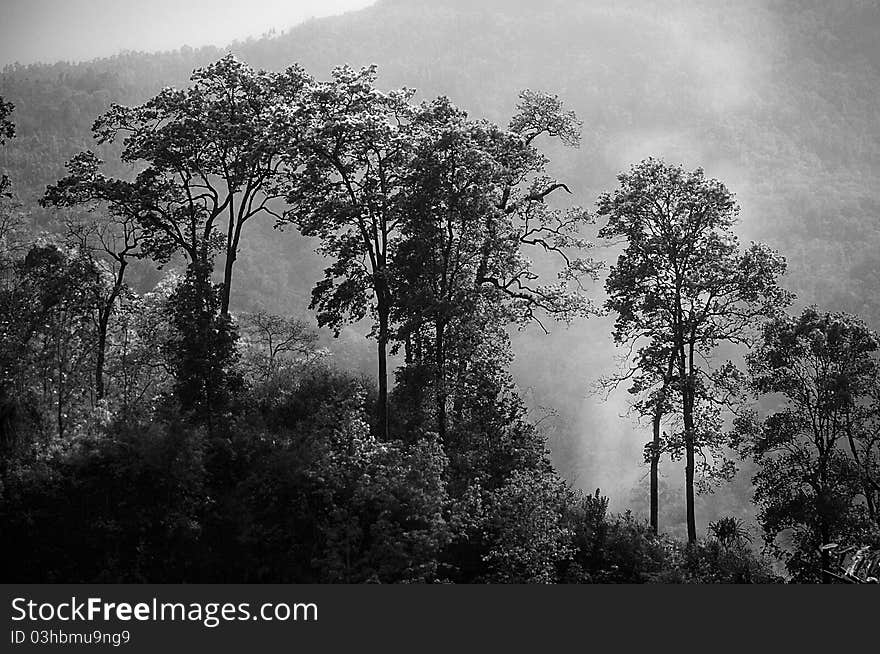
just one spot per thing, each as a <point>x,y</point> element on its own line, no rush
<point>52,30</point>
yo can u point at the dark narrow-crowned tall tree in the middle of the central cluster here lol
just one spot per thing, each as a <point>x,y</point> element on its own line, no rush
<point>434,268</point>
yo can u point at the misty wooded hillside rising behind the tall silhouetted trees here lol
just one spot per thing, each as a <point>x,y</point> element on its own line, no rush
<point>776,98</point>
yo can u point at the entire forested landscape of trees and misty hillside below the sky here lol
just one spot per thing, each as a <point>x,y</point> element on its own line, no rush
<point>275,316</point>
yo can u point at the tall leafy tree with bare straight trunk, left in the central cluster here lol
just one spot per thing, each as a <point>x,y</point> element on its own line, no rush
<point>358,150</point>
